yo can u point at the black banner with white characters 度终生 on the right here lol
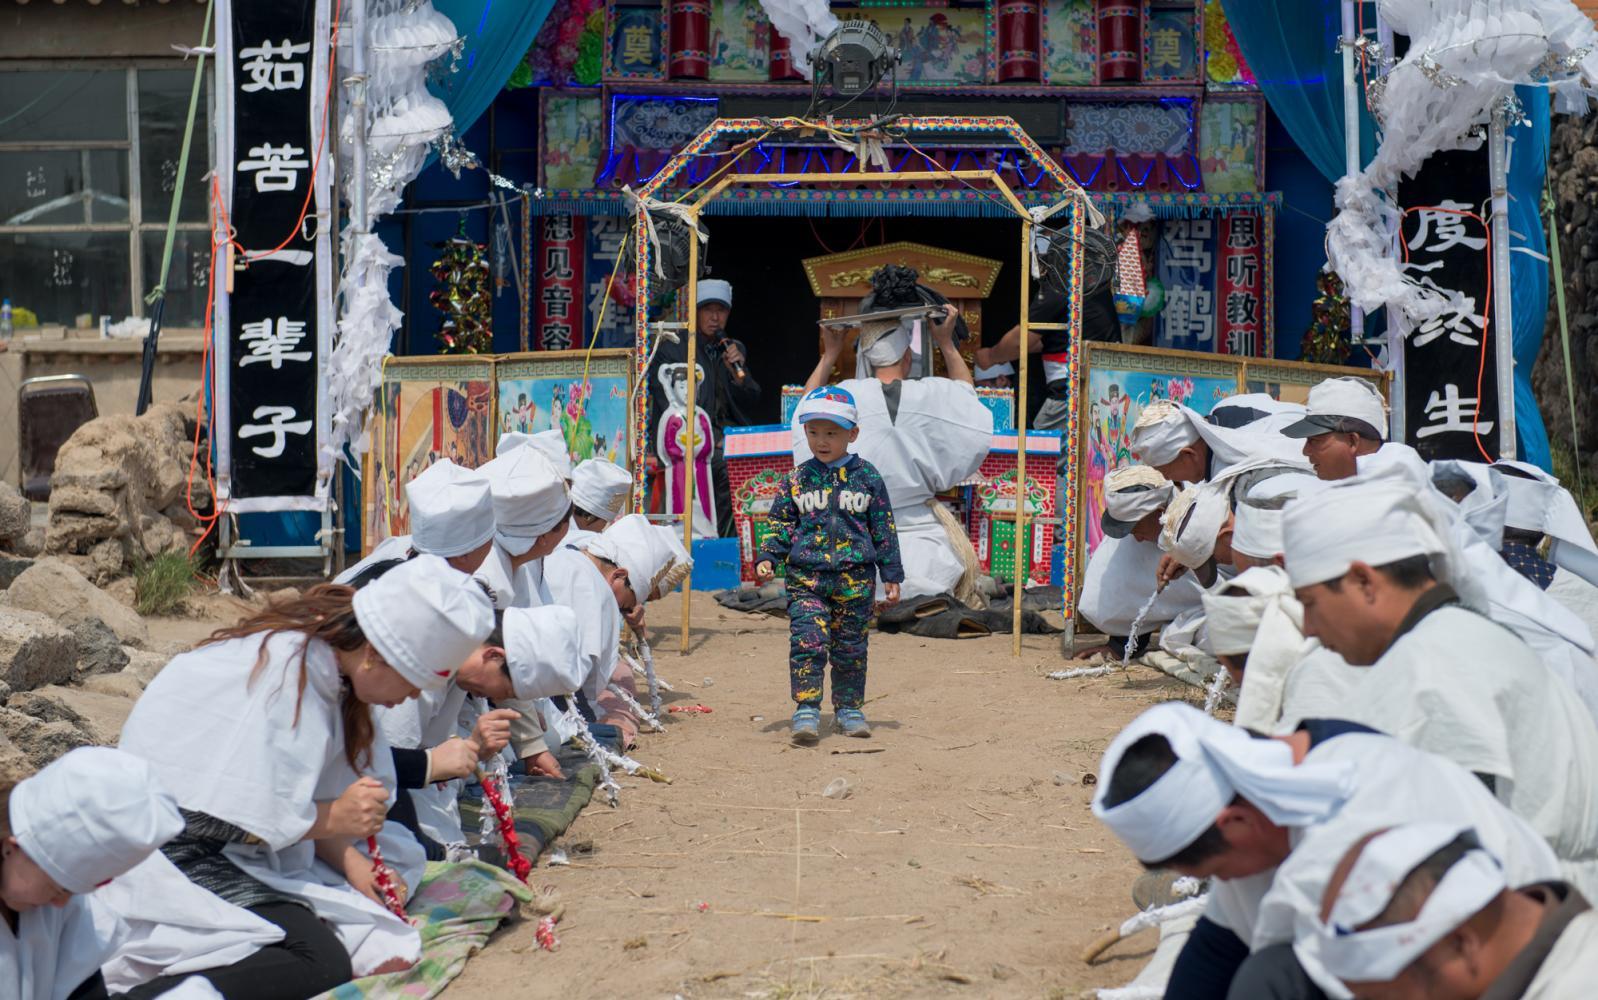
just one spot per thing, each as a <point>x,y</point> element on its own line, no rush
<point>1452,407</point>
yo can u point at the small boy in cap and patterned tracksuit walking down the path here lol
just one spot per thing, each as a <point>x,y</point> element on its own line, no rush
<point>833,526</point>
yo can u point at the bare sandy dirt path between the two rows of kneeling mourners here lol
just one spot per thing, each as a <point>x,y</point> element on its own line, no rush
<point>964,862</point>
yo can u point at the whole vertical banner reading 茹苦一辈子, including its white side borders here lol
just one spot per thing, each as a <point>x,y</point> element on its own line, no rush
<point>274,327</point>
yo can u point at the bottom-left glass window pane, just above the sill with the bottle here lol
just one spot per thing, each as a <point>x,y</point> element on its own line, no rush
<point>60,276</point>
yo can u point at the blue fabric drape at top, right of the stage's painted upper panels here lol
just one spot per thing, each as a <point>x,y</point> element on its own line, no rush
<point>1294,52</point>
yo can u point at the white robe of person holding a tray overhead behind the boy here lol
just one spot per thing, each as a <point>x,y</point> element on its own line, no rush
<point>937,440</point>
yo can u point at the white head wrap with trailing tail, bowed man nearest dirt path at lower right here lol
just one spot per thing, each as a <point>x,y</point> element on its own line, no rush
<point>1215,763</point>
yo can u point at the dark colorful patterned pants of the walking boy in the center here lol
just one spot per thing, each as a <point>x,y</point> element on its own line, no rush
<point>829,616</point>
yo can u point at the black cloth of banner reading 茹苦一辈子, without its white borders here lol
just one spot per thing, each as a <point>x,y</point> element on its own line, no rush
<point>274,306</point>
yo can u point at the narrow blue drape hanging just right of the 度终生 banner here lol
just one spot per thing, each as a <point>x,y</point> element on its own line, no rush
<point>1528,274</point>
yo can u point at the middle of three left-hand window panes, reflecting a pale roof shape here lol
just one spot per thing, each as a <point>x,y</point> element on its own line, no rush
<point>63,188</point>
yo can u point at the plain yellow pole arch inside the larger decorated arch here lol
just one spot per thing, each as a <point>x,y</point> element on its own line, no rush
<point>1020,410</point>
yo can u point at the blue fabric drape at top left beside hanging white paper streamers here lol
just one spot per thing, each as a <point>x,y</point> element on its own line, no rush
<point>498,36</point>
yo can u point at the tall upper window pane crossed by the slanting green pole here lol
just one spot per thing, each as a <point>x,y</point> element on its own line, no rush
<point>164,111</point>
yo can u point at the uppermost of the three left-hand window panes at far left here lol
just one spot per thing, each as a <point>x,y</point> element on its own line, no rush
<point>57,106</point>
